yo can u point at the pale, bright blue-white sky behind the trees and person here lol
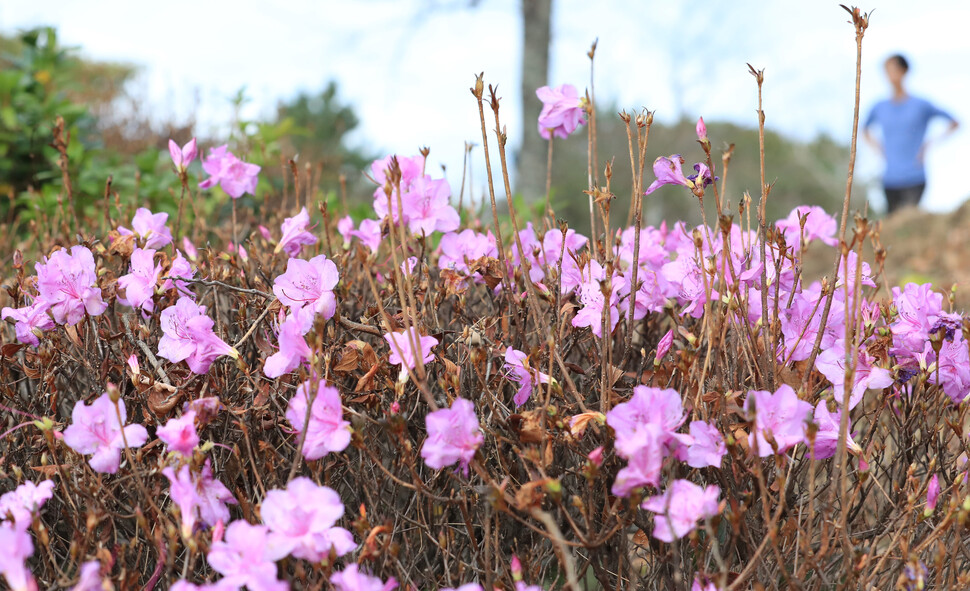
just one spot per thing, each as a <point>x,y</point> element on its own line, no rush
<point>406,65</point>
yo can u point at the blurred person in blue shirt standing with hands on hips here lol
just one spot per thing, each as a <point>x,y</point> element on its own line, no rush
<point>903,120</point>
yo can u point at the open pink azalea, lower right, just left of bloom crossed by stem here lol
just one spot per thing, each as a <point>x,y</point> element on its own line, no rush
<point>781,415</point>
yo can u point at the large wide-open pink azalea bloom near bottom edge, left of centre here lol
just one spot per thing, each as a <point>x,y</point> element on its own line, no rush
<point>301,522</point>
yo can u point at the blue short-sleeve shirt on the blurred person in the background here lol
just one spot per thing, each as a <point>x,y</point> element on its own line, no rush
<point>903,125</point>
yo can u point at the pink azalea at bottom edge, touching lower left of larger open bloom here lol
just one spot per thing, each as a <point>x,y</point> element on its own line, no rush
<point>242,558</point>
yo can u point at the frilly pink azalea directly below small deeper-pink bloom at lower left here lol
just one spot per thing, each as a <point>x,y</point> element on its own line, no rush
<point>199,497</point>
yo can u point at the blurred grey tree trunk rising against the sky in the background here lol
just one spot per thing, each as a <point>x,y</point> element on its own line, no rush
<point>530,178</point>
